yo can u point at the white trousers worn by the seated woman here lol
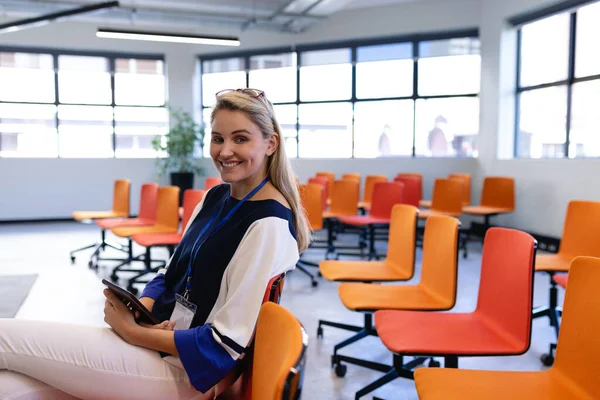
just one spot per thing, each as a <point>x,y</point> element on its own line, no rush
<point>47,360</point>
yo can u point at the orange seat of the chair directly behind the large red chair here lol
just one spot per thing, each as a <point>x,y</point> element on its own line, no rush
<point>370,297</point>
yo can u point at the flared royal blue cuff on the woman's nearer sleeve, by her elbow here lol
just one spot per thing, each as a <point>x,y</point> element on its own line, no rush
<point>206,362</point>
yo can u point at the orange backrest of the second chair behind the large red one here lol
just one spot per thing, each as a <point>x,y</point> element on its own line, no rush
<point>402,238</point>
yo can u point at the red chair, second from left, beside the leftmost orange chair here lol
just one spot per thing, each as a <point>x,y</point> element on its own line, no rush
<point>146,217</point>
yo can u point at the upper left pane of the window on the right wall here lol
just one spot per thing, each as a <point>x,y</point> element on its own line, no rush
<point>545,50</point>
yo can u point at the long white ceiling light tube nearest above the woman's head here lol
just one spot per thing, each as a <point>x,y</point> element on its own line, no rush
<point>167,37</point>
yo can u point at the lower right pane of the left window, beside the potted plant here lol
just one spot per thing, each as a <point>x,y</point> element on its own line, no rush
<point>135,127</point>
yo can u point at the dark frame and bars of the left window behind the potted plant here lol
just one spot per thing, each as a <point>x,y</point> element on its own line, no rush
<point>111,57</point>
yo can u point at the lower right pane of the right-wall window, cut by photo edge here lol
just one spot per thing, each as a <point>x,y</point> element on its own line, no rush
<point>585,120</point>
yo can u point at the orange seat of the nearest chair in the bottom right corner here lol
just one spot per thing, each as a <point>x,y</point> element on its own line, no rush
<point>456,384</point>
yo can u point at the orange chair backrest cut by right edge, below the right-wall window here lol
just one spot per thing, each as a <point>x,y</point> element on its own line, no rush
<point>581,232</point>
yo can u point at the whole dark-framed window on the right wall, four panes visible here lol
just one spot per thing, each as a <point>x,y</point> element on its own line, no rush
<point>551,72</point>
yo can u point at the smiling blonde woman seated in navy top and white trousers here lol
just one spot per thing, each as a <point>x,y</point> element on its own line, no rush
<point>241,235</point>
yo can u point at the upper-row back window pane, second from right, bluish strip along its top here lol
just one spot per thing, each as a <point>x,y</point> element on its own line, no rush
<point>384,71</point>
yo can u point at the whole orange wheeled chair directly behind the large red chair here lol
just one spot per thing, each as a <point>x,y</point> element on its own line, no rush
<point>435,291</point>
